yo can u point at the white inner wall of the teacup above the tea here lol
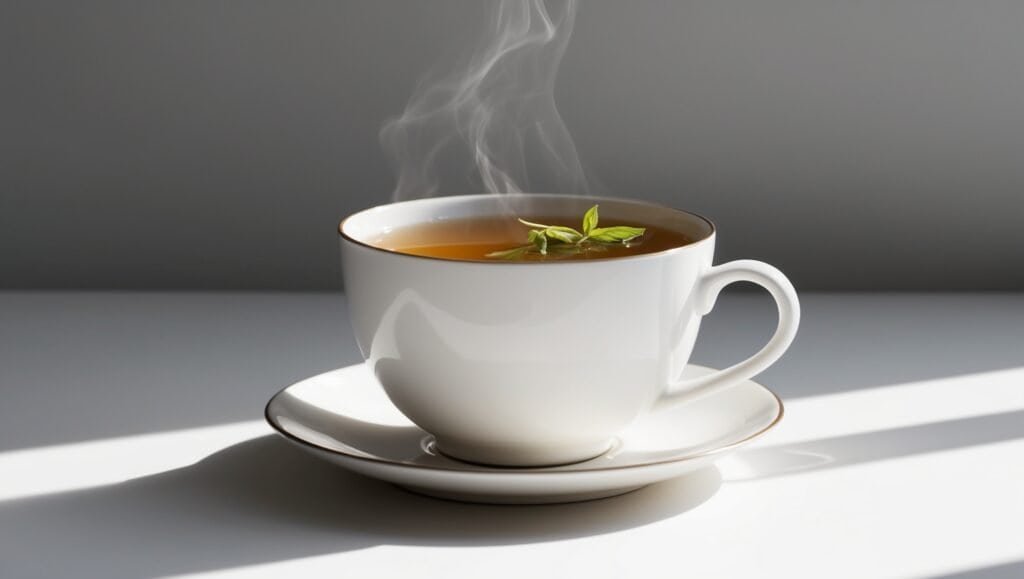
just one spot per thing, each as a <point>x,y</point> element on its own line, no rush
<point>373,226</point>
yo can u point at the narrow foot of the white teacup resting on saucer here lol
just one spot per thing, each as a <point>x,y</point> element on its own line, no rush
<point>514,457</point>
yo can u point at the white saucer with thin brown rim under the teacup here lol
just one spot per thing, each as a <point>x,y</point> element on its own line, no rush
<point>345,417</point>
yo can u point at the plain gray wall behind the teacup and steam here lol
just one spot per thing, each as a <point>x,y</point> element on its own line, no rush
<point>869,145</point>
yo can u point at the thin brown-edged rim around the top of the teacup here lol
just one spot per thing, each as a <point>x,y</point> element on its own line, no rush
<point>573,263</point>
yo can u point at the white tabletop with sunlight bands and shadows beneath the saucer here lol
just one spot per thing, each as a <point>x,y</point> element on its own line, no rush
<point>133,445</point>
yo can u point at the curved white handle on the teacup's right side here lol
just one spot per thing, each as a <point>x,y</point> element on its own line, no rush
<point>705,296</point>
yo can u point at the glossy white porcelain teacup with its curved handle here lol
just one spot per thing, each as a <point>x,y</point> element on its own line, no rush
<point>533,364</point>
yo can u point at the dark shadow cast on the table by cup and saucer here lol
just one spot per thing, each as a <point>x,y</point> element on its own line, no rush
<point>262,502</point>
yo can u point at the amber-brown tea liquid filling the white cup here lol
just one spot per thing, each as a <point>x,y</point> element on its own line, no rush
<point>479,239</point>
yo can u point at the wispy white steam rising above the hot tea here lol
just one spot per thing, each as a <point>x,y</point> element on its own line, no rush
<point>493,123</point>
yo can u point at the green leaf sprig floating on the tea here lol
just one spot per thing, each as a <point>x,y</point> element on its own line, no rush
<point>567,241</point>
